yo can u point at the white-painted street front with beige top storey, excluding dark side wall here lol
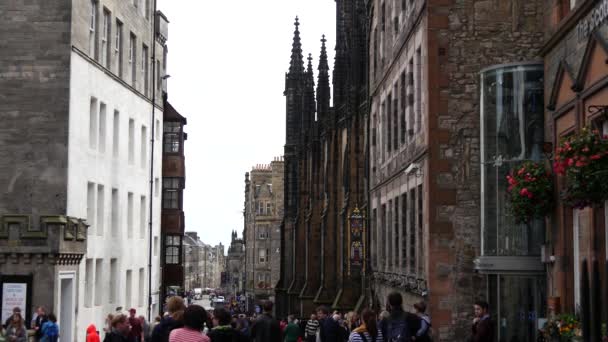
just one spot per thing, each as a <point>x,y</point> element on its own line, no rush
<point>111,130</point>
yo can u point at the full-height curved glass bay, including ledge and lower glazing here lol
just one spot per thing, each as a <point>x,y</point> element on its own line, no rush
<point>512,126</point>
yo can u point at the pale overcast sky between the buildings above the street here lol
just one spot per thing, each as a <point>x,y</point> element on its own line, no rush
<point>227,61</point>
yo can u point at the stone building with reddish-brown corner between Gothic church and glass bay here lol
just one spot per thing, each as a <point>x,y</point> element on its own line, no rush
<point>425,60</point>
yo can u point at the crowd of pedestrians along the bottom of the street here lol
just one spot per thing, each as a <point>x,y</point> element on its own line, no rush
<point>192,323</point>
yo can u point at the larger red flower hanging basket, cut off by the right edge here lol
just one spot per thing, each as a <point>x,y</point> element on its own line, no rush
<point>583,160</point>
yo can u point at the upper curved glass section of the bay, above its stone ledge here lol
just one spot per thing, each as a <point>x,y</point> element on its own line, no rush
<point>512,132</point>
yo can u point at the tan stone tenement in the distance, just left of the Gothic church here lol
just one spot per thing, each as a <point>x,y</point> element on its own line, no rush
<point>263,214</point>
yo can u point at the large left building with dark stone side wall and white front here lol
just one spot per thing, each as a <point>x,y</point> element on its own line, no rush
<point>61,155</point>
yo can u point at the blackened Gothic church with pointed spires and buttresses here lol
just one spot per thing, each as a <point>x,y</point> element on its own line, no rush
<point>324,172</point>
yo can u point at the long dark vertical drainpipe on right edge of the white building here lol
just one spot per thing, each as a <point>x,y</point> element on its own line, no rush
<point>151,193</point>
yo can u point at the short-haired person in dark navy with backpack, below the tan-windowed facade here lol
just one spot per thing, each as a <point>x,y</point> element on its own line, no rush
<point>400,326</point>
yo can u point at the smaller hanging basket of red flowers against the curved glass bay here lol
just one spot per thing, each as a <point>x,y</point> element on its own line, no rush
<point>531,192</point>
